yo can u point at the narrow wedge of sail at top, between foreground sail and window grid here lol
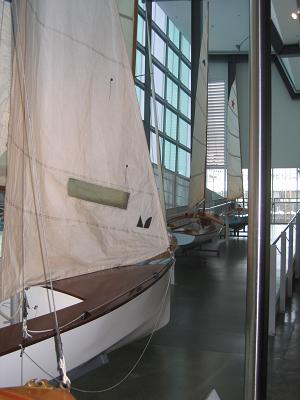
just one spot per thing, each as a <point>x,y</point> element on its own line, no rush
<point>126,11</point>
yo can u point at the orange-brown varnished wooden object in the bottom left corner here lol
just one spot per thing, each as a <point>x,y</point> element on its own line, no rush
<point>34,391</point>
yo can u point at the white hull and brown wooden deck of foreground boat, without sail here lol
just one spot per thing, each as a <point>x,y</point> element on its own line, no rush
<point>111,308</point>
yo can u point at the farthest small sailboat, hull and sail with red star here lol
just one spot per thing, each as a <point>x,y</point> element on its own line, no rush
<point>237,216</point>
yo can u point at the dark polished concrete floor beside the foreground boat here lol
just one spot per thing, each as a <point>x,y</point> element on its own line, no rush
<point>202,348</point>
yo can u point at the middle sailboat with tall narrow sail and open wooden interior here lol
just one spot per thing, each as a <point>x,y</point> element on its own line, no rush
<point>191,225</point>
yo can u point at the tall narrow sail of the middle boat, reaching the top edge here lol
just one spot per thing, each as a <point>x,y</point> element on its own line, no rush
<point>198,165</point>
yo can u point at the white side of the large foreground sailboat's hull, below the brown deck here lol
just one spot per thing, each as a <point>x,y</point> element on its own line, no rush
<point>130,321</point>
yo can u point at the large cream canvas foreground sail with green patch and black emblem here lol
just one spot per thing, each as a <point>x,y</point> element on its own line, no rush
<point>81,194</point>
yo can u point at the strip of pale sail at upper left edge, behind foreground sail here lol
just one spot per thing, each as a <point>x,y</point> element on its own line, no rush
<point>5,81</point>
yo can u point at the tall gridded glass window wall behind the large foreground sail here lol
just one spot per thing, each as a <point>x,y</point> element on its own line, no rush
<point>171,53</point>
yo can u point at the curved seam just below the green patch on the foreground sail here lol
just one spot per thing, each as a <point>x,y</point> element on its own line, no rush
<point>53,218</point>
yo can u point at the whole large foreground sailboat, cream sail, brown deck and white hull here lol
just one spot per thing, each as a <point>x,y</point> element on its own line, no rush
<point>83,221</point>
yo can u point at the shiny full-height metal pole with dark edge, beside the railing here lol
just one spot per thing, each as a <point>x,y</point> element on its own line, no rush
<point>258,261</point>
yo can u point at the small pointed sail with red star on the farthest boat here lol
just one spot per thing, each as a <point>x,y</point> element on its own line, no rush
<point>234,166</point>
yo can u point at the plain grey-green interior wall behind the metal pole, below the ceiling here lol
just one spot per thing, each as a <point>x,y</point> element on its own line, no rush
<point>285,120</point>
